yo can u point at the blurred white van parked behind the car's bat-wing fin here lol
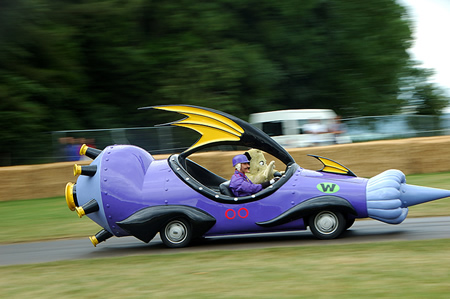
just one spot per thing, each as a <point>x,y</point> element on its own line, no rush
<point>290,127</point>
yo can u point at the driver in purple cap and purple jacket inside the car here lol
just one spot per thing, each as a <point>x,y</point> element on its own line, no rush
<point>240,184</point>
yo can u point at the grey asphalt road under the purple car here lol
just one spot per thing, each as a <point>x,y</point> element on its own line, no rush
<point>361,232</point>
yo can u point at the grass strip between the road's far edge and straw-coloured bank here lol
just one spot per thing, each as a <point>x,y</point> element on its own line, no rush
<point>46,219</point>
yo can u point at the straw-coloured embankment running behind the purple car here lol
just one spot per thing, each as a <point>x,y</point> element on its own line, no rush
<point>412,156</point>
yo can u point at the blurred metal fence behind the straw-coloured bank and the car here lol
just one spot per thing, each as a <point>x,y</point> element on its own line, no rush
<point>165,140</point>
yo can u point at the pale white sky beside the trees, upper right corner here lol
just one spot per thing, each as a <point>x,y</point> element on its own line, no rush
<point>431,21</point>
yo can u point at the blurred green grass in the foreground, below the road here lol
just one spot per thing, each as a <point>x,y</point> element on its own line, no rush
<point>418,269</point>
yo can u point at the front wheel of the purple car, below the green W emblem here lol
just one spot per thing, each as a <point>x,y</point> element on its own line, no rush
<point>327,225</point>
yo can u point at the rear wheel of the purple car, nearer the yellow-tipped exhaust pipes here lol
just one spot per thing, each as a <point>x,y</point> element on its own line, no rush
<point>176,233</point>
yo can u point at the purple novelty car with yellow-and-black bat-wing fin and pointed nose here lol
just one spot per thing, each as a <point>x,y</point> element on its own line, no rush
<point>127,192</point>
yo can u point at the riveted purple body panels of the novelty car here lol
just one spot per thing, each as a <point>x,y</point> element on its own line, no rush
<point>130,180</point>
